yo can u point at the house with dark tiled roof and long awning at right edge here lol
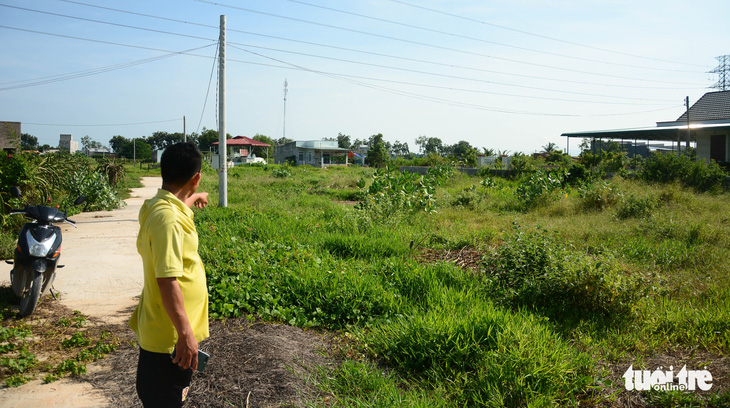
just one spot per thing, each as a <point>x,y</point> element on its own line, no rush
<point>709,128</point>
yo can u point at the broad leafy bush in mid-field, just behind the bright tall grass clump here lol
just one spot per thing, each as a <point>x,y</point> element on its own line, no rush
<point>532,269</point>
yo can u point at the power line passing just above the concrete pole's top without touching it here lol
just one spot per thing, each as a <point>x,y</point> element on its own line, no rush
<point>411,41</point>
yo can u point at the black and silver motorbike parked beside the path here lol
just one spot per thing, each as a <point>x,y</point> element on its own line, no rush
<point>37,253</point>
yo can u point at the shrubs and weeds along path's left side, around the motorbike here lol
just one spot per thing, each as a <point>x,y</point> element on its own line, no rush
<point>54,342</point>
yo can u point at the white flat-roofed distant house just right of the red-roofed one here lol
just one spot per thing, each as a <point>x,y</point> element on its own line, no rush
<point>317,153</point>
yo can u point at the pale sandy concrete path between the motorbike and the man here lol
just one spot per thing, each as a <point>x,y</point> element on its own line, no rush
<point>102,278</point>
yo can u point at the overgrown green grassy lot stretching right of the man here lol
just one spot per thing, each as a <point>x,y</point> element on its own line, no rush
<point>468,291</point>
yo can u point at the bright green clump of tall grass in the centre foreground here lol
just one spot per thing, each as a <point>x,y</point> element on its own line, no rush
<point>487,355</point>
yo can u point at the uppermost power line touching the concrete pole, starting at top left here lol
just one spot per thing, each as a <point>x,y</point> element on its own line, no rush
<point>391,56</point>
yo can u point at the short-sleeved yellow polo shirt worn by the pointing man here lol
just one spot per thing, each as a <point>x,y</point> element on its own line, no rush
<point>168,244</point>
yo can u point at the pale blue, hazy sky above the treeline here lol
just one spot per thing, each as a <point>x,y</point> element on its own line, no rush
<point>509,75</point>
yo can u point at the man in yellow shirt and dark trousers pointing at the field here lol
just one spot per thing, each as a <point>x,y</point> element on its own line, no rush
<point>172,314</point>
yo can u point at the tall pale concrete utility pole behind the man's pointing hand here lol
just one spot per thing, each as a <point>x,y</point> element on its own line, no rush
<point>222,147</point>
